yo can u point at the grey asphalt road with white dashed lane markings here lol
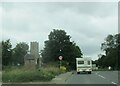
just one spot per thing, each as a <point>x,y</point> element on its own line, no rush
<point>97,77</point>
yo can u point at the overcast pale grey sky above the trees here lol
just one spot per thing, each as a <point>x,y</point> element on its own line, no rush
<point>88,23</point>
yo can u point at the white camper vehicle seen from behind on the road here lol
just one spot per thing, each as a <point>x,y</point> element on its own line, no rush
<point>84,65</point>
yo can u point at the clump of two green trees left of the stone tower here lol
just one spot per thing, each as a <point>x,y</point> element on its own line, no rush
<point>13,56</point>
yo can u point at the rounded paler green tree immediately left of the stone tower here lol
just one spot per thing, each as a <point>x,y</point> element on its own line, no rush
<point>19,52</point>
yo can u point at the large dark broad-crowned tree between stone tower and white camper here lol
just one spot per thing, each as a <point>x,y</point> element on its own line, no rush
<point>59,44</point>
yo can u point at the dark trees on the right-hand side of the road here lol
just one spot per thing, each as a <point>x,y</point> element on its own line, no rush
<point>111,46</point>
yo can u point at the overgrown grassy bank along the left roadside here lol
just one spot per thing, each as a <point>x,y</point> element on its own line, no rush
<point>30,75</point>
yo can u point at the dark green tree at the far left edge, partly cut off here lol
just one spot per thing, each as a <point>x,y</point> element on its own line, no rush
<point>6,52</point>
